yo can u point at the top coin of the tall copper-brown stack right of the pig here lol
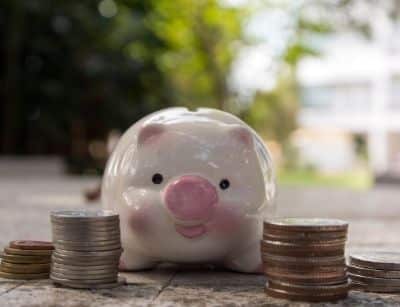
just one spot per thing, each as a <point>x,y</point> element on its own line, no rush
<point>306,224</point>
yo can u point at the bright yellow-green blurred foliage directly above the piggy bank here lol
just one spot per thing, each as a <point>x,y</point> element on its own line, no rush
<point>200,36</point>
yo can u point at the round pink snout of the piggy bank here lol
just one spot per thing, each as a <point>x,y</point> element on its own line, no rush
<point>191,198</point>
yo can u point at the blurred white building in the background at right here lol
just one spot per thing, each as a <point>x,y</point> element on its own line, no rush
<point>352,93</point>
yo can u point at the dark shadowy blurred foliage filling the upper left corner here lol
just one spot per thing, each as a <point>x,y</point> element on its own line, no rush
<point>71,74</point>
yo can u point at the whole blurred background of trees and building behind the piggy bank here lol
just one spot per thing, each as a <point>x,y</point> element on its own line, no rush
<point>319,80</point>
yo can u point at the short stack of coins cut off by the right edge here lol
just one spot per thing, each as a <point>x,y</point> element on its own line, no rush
<point>375,272</point>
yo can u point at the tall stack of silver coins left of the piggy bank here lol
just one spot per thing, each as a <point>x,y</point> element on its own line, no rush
<point>87,249</point>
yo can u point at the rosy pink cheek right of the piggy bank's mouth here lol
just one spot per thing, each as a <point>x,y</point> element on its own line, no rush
<point>225,220</point>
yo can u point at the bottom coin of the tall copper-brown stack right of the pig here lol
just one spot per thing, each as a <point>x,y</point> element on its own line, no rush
<point>276,293</point>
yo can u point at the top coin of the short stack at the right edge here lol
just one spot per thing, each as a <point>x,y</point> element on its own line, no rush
<point>377,260</point>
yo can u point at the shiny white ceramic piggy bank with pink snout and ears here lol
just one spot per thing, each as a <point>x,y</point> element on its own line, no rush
<point>190,187</point>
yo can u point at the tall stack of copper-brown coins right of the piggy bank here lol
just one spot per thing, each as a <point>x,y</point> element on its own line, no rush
<point>304,259</point>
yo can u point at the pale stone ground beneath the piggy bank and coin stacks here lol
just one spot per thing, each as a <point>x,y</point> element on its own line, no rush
<point>27,201</point>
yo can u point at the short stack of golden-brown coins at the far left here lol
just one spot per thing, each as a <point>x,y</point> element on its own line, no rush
<point>26,260</point>
